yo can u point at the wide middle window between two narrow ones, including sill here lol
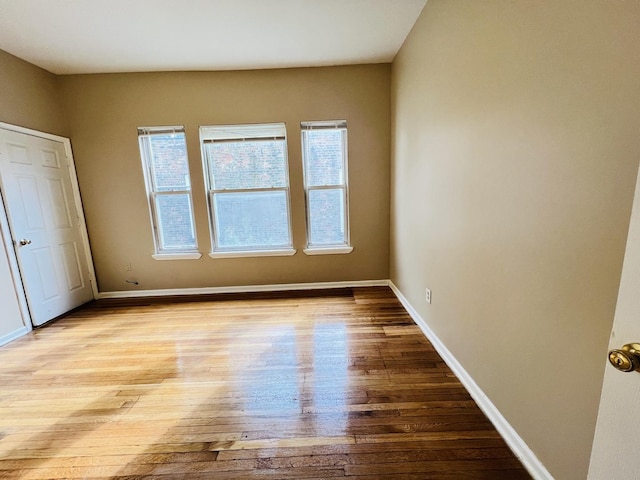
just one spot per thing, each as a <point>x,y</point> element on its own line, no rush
<point>248,184</point>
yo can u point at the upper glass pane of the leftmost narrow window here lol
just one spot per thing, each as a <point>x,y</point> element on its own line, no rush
<point>169,162</point>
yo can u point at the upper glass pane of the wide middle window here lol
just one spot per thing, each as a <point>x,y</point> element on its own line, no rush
<point>247,164</point>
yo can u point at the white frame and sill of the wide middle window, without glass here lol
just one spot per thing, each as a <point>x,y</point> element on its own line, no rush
<point>242,133</point>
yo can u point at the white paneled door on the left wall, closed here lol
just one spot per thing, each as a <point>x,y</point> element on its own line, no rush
<point>46,225</point>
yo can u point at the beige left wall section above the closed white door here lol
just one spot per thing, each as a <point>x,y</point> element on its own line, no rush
<point>29,97</point>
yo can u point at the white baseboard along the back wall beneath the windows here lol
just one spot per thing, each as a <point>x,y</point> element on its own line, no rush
<point>241,289</point>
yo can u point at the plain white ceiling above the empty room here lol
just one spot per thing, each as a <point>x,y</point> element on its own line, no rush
<point>99,36</point>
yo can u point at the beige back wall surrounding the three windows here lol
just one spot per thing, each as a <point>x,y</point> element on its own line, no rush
<point>105,110</point>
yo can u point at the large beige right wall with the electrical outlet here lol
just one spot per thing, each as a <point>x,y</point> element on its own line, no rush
<point>514,155</point>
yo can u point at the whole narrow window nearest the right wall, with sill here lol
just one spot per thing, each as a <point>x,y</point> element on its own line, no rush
<point>324,157</point>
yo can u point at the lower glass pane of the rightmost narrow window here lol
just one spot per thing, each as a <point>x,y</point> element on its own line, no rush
<point>326,217</point>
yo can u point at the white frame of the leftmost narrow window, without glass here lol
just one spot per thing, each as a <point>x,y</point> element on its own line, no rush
<point>153,194</point>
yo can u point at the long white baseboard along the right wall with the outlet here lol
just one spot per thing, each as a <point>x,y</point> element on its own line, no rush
<point>511,437</point>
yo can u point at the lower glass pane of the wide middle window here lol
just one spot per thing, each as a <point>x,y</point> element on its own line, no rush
<point>251,219</point>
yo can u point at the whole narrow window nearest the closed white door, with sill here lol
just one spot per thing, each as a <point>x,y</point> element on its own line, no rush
<point>166,171</point>
